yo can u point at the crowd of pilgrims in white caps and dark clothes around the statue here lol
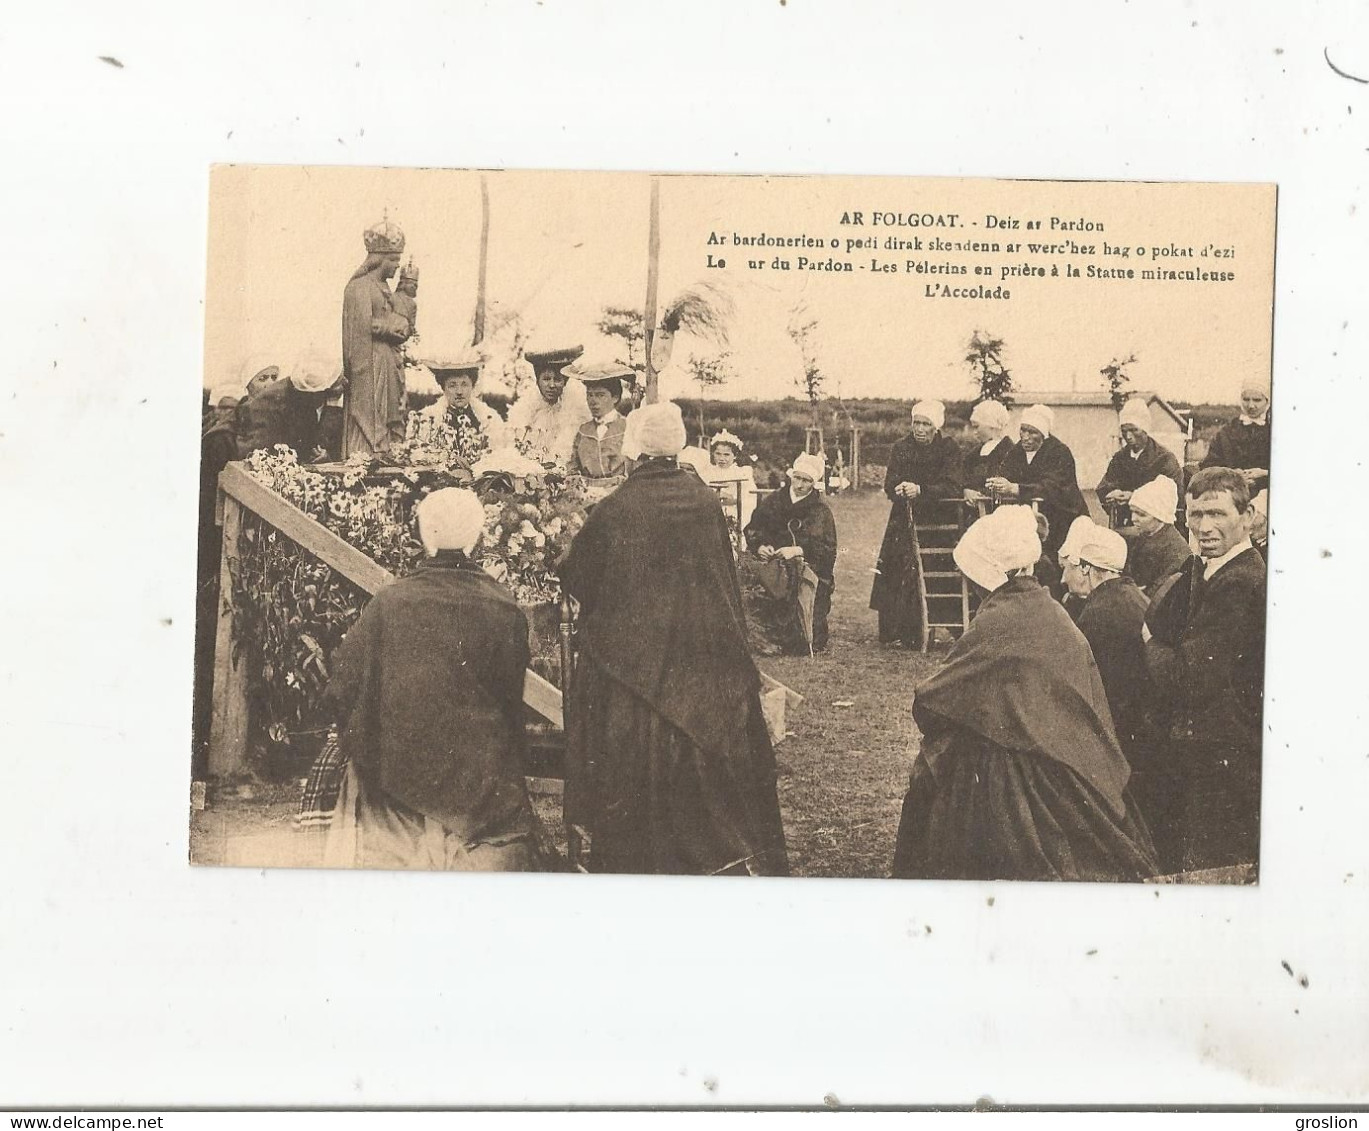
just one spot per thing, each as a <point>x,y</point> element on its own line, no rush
<point>1100,718</point>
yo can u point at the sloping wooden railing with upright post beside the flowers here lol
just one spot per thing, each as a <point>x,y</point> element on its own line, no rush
<point>240,492</point>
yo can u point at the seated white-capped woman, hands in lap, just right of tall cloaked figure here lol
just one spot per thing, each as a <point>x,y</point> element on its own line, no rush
<point>796,528</point>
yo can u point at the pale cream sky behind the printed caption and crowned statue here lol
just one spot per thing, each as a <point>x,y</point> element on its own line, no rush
<point>285,240</point>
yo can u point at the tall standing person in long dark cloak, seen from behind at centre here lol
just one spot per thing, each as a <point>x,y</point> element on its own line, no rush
<point>669,765</point>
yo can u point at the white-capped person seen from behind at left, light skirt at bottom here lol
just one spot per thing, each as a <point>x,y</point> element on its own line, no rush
<point>429,695</point>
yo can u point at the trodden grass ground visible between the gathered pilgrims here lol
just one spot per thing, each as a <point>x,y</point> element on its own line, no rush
<point>843,772</point>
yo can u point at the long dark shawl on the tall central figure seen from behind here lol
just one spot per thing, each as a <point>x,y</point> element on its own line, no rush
<point>661,607</point>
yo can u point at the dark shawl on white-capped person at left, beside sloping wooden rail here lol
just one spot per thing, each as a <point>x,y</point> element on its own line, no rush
<point>429,688</point>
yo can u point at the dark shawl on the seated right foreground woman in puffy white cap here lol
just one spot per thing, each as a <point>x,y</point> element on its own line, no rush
<point>1023,678</point>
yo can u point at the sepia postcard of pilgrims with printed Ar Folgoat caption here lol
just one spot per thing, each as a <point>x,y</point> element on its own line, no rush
<point>721,525</point>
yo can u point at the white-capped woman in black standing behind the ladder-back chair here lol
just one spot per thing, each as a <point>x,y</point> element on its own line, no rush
<point>925,472</point>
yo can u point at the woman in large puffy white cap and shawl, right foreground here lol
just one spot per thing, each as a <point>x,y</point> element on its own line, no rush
<point>1019,776</point>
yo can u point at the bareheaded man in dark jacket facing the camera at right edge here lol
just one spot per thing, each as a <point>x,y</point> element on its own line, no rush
<point>1205,652</point>
